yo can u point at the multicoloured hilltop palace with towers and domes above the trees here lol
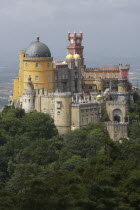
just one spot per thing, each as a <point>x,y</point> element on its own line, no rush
<point>71,93</point>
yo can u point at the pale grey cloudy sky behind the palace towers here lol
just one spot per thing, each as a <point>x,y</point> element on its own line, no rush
<point>111,28</point>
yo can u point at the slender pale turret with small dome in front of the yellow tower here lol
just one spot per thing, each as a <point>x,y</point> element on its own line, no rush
<point>28,97</point>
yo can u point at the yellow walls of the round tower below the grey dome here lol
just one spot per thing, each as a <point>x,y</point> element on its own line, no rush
<point>42,75</point>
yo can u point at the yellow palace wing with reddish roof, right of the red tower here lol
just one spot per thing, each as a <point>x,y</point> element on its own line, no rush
<point>99,79</point>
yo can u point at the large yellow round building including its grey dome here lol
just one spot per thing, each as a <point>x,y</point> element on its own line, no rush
<point>35,62</point>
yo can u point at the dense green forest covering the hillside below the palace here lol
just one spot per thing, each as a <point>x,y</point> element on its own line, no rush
<point>85,170</point>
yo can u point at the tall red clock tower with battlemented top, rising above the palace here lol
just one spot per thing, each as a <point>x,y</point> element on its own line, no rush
<point>75,45</point>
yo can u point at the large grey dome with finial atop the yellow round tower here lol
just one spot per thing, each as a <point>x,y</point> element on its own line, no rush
<point>37,49</point>
